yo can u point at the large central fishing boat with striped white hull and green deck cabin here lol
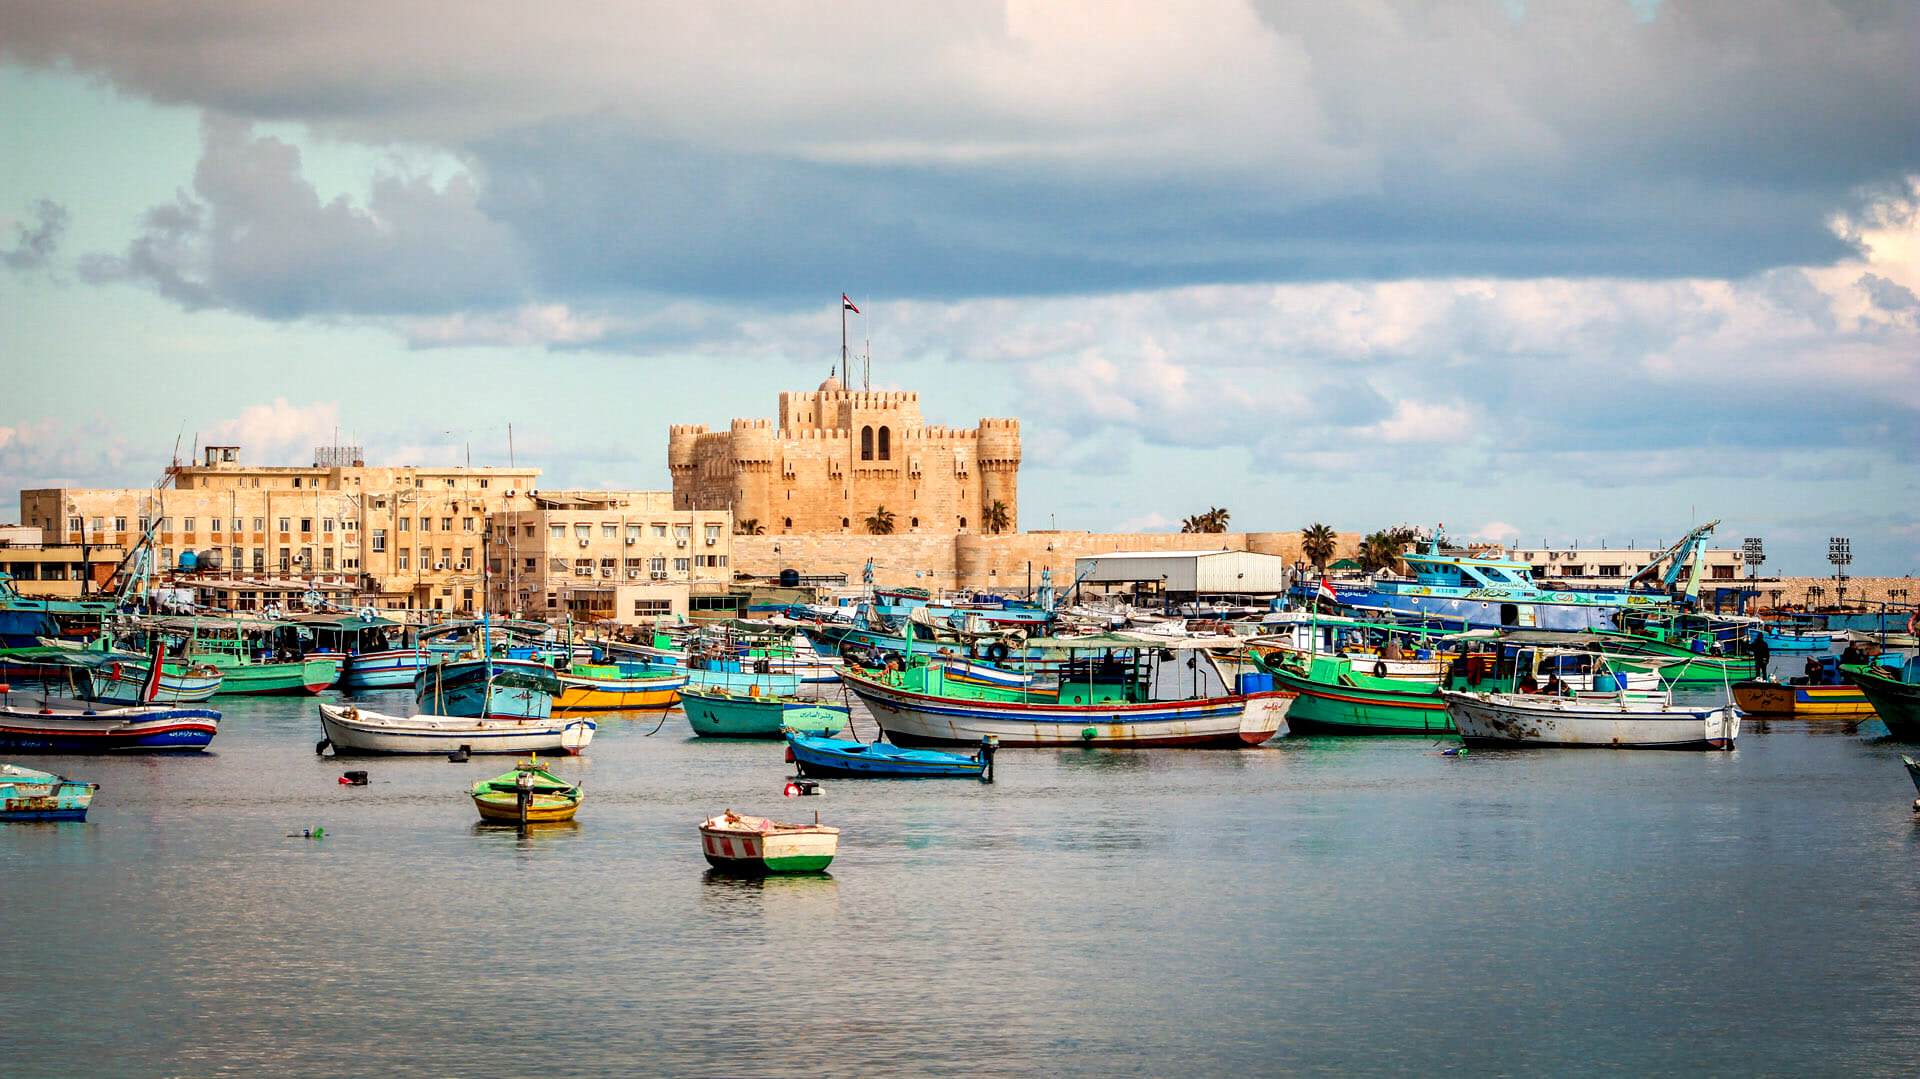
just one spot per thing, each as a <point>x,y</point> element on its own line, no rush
<point>1115,692</point>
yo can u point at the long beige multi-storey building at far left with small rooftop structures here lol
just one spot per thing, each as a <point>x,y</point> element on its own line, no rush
<point>396,537</point>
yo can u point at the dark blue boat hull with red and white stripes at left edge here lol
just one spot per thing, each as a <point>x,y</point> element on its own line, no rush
<point>60,725</point>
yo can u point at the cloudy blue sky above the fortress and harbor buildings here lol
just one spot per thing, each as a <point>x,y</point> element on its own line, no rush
<point>1541,272</point>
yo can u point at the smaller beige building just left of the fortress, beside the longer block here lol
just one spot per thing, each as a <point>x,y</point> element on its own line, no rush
<point>623,556</point>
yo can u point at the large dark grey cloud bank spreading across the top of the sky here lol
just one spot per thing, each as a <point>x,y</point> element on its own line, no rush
<point>997,149</point>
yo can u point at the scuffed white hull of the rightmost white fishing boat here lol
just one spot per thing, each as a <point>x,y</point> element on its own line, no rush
<point>1606,721</point>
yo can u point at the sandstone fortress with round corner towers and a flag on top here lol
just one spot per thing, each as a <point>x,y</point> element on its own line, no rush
<point>838,456</point>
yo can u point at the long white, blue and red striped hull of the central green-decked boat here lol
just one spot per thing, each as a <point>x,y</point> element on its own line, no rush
<point>1226,723</point>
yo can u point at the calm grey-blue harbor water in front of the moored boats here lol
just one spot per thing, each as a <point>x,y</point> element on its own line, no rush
<point>1314,907</point>
